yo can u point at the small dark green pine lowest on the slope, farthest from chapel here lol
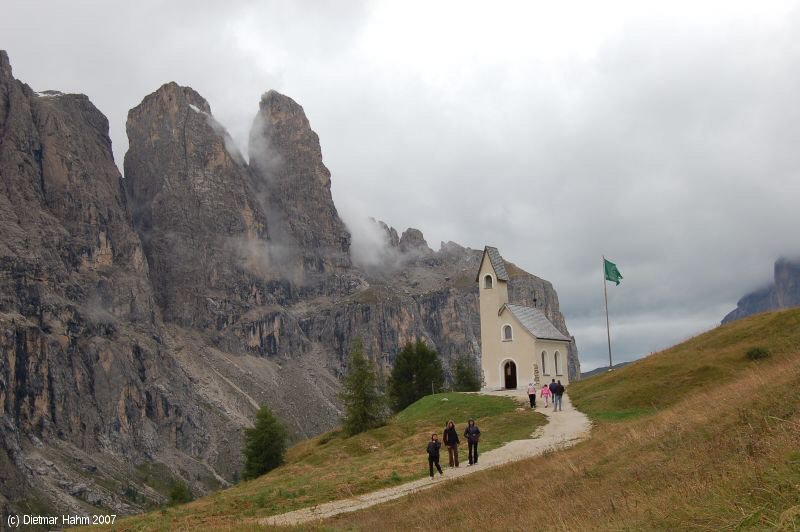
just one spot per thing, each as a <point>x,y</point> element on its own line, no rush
<point>264,444</point>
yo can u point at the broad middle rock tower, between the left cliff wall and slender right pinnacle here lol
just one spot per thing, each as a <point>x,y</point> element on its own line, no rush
<point>192,202</point>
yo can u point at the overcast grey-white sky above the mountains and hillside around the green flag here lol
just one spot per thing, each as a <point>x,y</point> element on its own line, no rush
<point>666,138</point>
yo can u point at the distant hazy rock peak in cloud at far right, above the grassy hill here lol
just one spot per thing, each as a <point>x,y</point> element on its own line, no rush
<point>784,292</point>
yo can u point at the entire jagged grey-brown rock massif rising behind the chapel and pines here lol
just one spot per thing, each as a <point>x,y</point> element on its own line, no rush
<point>143,321</point>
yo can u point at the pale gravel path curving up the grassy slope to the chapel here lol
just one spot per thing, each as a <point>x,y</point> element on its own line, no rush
<point>564,429</point>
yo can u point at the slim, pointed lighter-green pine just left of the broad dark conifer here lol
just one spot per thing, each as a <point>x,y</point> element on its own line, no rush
<point>363,404</point>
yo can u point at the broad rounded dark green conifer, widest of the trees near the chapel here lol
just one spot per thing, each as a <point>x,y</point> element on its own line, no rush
<point>417,372</point>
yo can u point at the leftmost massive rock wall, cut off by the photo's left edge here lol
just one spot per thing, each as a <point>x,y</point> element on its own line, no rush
<point>83,371</point>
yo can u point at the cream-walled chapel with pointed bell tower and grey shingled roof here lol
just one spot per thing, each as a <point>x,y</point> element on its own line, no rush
<point>518,344</point>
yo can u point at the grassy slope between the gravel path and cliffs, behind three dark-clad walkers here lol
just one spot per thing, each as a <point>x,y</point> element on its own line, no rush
<point>333,466</point>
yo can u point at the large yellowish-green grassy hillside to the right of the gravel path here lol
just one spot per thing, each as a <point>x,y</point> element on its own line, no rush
<point>696,437</point>
